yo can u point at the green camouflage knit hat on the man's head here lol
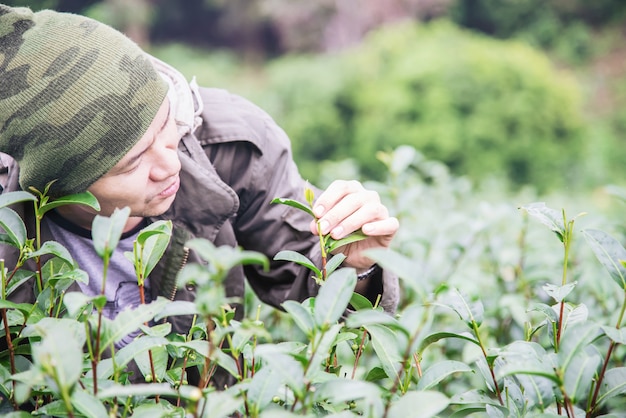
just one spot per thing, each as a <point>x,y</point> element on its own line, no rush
<point>75,96</point>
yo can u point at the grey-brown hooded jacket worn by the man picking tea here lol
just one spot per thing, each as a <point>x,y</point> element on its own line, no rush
<point>235,160</point>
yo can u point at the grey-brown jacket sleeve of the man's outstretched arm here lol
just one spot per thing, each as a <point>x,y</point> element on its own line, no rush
<point>257,163</point>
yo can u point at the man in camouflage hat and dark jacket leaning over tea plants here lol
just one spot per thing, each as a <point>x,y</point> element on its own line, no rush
<point>82,105</point>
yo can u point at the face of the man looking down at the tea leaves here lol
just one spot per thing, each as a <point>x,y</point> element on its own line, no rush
<point>146,178</point>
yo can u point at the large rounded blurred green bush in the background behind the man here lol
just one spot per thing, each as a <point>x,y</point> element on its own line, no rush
<point>484,107</point>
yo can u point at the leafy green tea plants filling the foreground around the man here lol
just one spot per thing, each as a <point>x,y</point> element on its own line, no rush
<point>509,309</point>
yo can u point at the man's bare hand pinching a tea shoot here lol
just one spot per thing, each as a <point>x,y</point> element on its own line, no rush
<point>345,207</point>
